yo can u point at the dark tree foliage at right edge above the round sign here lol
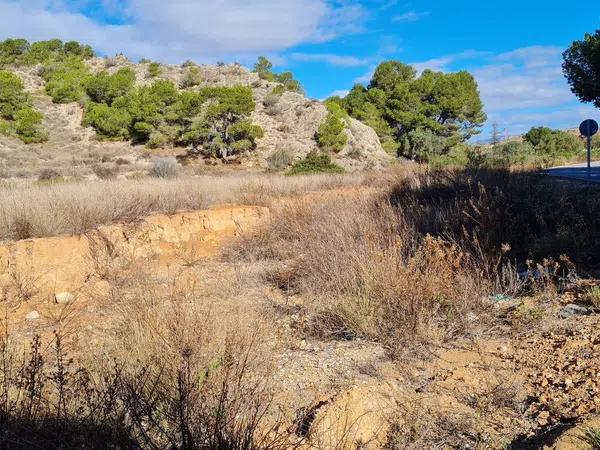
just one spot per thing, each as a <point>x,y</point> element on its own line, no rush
<point>581,66</point>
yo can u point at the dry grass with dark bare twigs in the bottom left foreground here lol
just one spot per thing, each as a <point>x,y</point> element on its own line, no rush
<point>174,370</point>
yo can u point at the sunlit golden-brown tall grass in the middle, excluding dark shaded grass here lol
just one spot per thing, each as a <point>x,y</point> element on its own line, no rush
<point>366,274</point>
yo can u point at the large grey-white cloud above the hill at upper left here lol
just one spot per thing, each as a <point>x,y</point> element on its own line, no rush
<point>181,29</point>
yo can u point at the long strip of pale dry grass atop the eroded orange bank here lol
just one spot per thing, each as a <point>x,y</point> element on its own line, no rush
<point>66,208</point>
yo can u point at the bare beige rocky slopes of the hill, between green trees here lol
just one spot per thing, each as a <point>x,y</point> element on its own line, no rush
<point>290,122</point>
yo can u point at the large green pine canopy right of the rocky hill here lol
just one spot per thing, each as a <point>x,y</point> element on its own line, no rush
<point>400,105</point>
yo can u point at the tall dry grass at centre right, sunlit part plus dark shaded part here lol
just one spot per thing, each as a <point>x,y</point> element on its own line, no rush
<point>418,262</point>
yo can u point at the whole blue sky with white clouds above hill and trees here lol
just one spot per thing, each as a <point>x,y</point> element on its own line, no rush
<point>512,47</point>
